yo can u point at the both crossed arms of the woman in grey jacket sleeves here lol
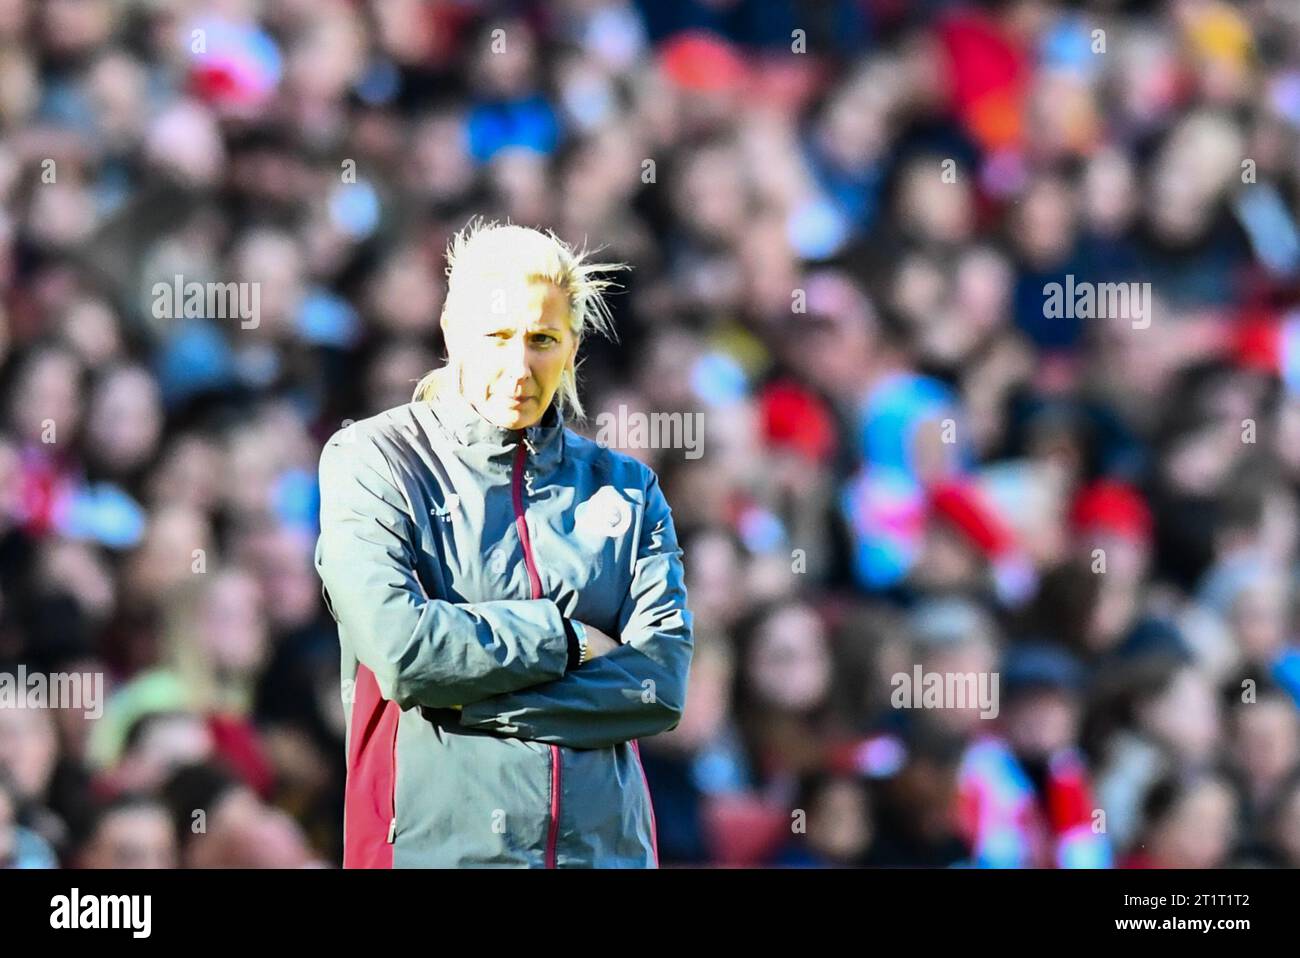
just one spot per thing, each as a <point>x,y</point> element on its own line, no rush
<point>508,664</point>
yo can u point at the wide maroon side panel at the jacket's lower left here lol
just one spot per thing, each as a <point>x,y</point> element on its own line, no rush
<point>370,800</point>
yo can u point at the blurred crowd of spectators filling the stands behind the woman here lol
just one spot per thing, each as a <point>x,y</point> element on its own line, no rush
<point>844,219</point>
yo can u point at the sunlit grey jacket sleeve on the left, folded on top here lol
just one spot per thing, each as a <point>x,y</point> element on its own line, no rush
<point>423,652</point>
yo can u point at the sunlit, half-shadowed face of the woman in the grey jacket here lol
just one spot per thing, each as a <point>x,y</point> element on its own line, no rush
<point>515,353</point>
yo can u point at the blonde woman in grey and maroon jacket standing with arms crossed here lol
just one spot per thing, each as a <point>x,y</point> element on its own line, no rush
<point>510,596</point>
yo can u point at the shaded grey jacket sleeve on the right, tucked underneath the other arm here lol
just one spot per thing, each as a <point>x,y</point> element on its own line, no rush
<point>636,691</point>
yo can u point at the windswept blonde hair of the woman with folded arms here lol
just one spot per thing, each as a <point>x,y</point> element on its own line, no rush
<point>489,249</point>
